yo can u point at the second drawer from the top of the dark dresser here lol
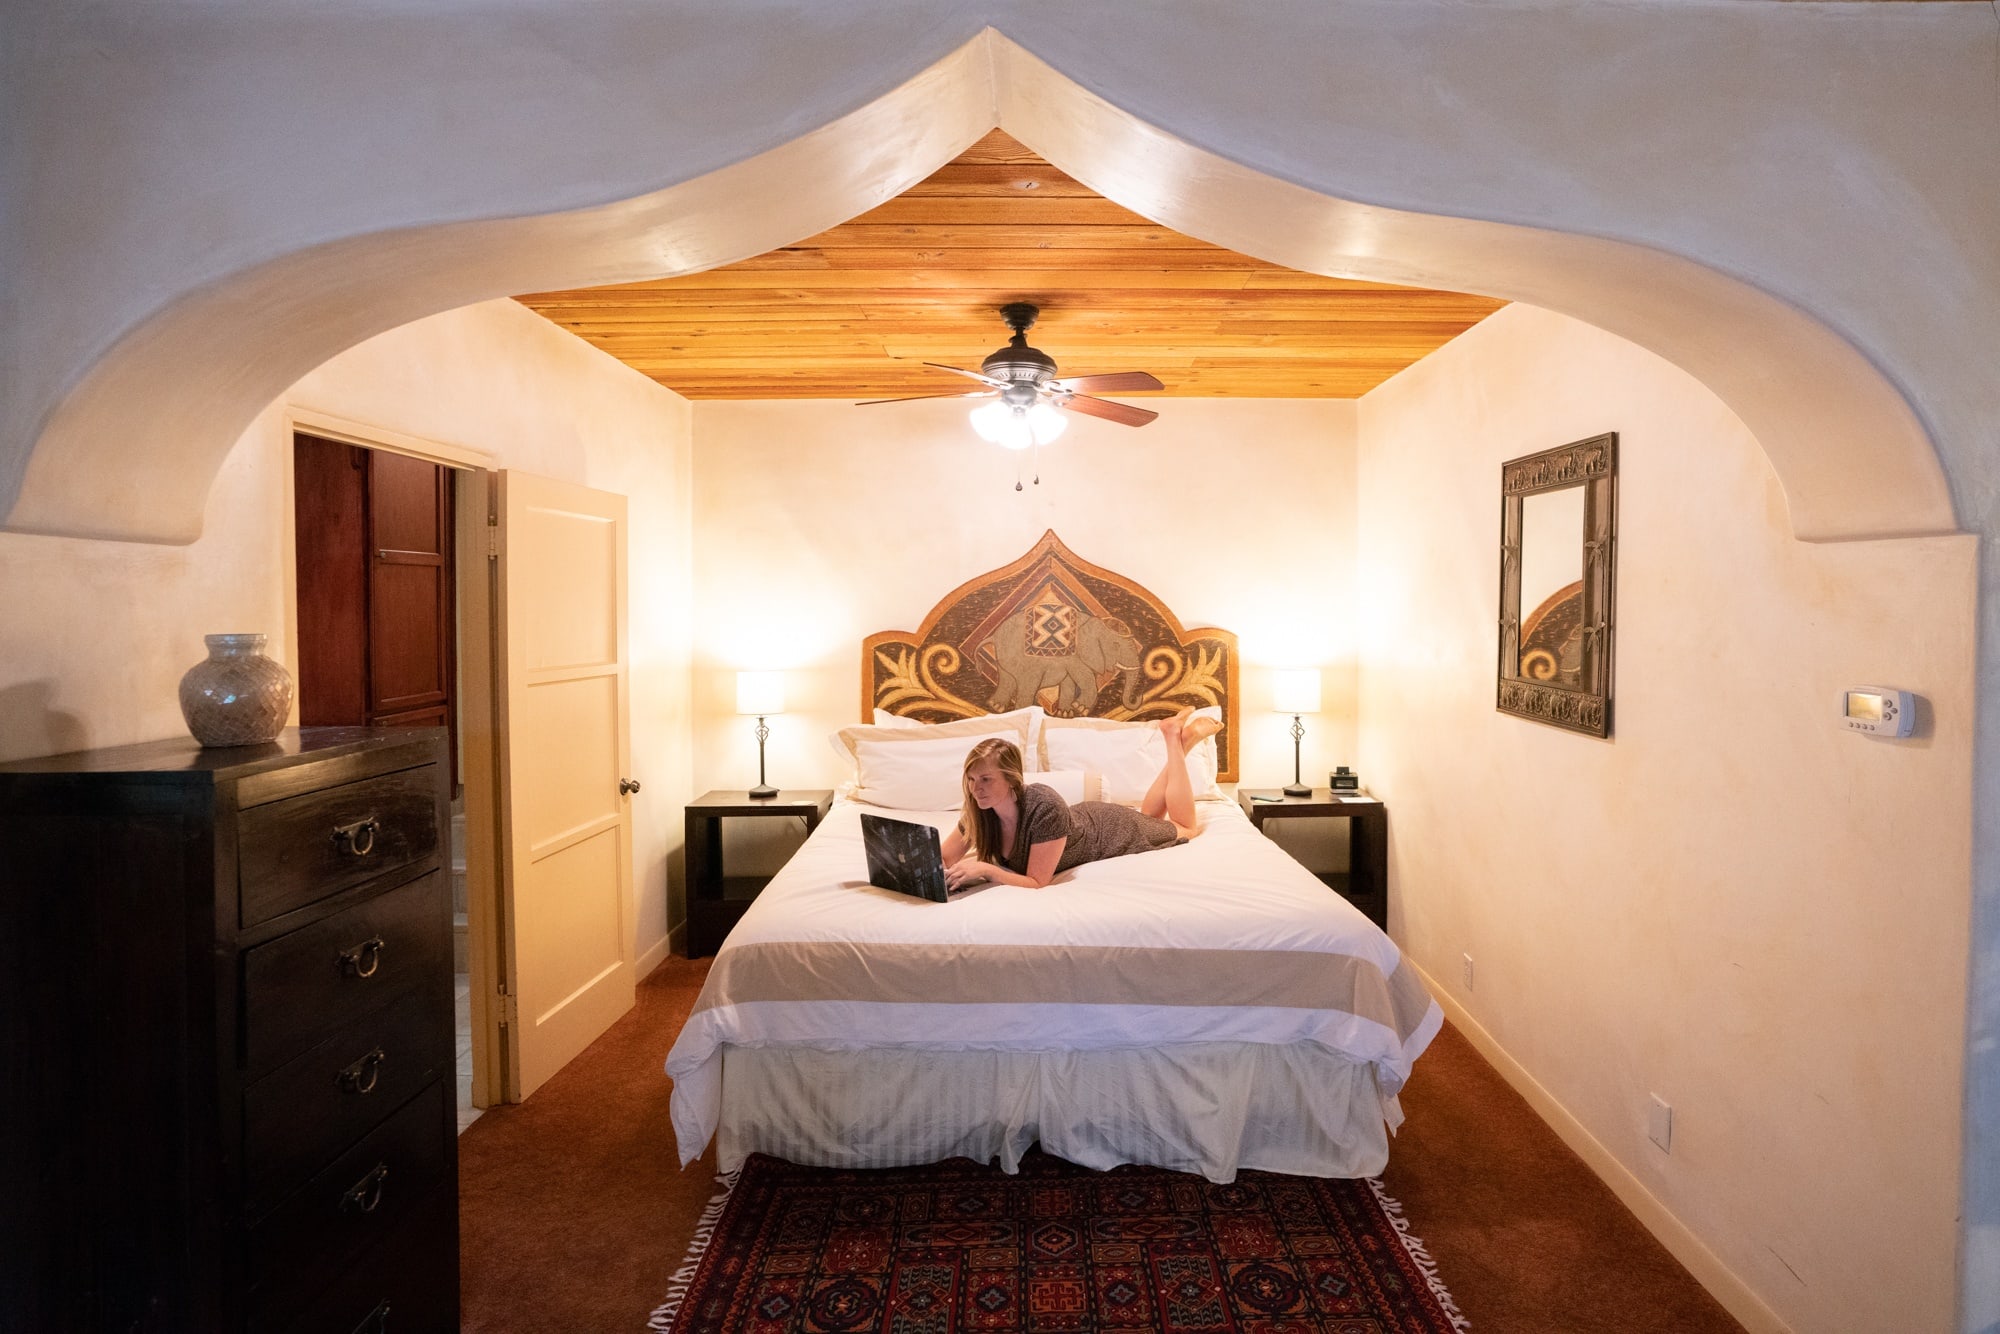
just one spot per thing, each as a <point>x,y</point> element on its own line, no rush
<point>315,983</point>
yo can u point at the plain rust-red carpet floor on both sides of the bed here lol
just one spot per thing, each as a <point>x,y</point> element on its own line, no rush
<point>575,1211</point>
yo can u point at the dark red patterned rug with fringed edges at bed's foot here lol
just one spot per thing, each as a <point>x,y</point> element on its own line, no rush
<point>963,1247</point>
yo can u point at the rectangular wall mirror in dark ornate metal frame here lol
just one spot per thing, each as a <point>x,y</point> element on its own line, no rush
<point>1559,535</point>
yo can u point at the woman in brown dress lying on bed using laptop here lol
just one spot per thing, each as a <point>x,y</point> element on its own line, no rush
<point>1025,835</point>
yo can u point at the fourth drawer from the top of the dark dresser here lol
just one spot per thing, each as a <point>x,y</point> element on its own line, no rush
<point>351,1207</point>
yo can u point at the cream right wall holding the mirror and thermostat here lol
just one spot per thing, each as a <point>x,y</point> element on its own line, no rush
<point>1733,903</point>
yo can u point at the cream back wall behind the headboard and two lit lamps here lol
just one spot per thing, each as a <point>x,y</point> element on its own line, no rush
<point>821,523</point>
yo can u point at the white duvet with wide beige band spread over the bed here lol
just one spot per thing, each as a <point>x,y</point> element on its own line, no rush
<point>1223,939</point>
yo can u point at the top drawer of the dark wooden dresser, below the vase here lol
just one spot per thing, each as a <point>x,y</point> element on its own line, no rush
<point>299,851</point>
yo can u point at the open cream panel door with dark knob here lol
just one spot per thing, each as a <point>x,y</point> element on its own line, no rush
<point>565,747</point>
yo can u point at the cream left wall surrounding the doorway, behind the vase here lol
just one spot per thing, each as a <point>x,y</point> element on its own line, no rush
<point>99,633</point>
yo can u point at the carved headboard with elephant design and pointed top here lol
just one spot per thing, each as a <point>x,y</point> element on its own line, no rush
<point>1059,633</point>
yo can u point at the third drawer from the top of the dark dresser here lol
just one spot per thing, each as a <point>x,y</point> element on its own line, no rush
<point>299,1117</point>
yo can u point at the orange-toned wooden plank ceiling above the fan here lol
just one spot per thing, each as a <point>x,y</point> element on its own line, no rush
<point>853,313</point>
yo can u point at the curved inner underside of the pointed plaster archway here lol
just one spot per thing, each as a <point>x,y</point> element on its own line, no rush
<point>135,445</point>
